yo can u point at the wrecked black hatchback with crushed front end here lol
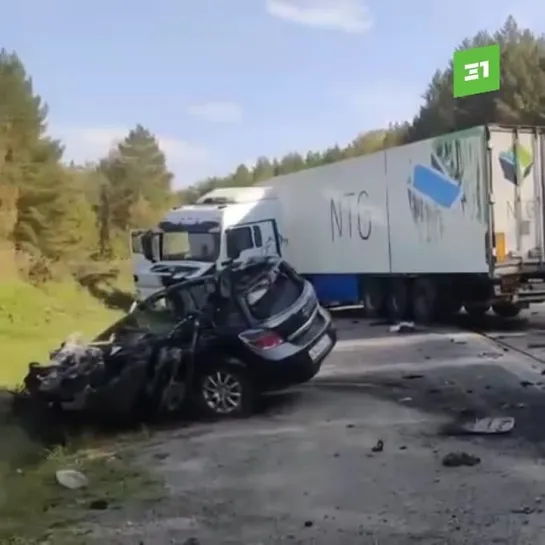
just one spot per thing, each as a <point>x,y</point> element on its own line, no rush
<point>216,342</point>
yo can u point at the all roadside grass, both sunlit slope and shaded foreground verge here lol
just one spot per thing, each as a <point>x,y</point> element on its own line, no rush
<point>34,508</point>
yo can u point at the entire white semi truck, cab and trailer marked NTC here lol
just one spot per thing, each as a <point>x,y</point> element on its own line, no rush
<point>421,229</point>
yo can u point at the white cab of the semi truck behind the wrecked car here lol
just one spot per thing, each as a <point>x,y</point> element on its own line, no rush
<point>192,240</point>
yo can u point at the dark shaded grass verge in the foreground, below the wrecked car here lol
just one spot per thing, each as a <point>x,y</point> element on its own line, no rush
<point>35,509</point>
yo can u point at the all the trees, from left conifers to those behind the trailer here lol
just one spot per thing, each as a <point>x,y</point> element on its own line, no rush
<point>52,213</point>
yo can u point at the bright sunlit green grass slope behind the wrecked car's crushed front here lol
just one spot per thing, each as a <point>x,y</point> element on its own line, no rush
<point>34,321</point>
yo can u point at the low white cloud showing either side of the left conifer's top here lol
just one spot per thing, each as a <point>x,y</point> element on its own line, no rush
<point>90,143</point>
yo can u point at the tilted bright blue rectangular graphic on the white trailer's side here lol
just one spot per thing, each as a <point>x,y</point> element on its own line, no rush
<point>433,183</point>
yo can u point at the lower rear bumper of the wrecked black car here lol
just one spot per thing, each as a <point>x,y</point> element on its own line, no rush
<point>296,369</point>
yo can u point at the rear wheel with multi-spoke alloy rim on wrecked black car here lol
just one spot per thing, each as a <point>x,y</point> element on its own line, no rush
<point>225,391</point>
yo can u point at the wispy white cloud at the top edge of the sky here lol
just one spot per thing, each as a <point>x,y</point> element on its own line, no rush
<point>351,16</point>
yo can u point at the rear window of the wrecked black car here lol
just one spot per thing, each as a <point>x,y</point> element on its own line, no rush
<point>273,293</point>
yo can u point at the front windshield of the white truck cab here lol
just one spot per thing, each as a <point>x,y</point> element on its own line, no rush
<point>185,245</point>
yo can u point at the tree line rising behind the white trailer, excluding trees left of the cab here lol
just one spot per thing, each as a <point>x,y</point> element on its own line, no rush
<point>520,100</point>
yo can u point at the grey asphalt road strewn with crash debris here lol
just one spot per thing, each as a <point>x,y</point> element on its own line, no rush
<point>304,470</point>
